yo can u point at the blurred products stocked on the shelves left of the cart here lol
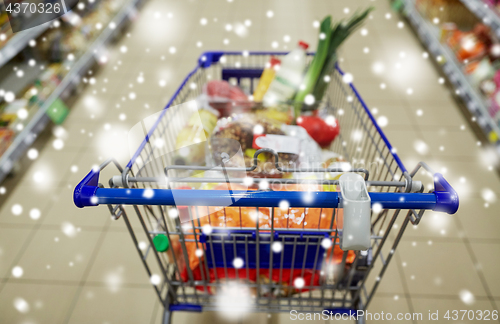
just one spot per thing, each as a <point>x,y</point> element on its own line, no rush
<point>60,47</point>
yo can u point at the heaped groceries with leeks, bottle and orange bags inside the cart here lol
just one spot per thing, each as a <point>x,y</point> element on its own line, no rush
<point>262,139</point>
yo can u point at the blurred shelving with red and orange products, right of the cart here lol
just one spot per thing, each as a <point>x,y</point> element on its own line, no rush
<point>462,36</point>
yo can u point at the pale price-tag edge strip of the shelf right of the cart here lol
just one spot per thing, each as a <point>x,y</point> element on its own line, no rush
<point>453,70</point>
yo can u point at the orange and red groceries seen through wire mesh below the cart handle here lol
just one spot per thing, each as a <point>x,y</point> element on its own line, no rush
<point>207,262</point>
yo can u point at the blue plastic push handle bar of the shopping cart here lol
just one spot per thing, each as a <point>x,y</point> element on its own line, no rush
<point>87,193</point>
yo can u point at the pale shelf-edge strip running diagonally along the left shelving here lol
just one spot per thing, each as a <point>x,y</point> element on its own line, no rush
<point>38,122</point>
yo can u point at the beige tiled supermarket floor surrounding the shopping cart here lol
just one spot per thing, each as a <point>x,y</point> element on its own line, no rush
<point>81,267</point>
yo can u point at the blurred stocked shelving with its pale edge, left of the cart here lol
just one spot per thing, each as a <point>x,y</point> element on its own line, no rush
<point>42,69</point>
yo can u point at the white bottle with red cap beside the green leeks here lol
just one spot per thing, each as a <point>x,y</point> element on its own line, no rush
<point>288,77</point>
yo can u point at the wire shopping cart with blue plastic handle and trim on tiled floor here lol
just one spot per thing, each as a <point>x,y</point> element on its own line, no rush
<point>303,273</point>
